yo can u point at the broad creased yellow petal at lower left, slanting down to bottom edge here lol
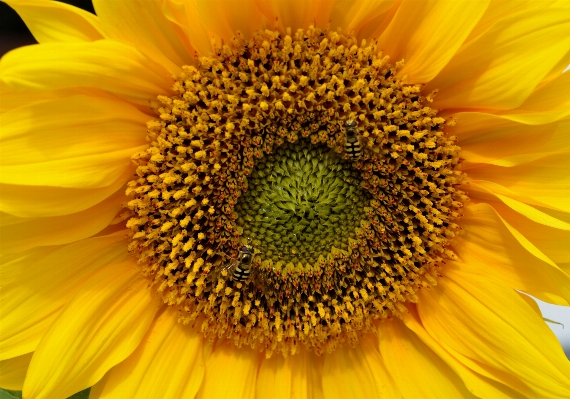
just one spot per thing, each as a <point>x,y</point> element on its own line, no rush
<point>100,327</point>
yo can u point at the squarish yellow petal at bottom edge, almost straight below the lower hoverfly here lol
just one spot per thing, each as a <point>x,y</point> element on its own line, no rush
<point>238,368</point>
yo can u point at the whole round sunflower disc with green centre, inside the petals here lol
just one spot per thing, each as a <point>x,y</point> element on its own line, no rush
<point>248,215</point>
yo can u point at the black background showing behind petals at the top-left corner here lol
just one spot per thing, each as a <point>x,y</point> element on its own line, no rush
<point>13,31</point>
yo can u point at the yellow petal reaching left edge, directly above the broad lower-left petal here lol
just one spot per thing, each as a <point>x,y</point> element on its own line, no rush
<point>38,283</point>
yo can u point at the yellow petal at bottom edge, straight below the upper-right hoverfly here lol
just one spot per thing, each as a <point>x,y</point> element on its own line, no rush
<point>356,373</point>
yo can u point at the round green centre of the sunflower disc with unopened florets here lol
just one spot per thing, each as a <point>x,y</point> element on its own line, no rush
<point>302,200</point>
